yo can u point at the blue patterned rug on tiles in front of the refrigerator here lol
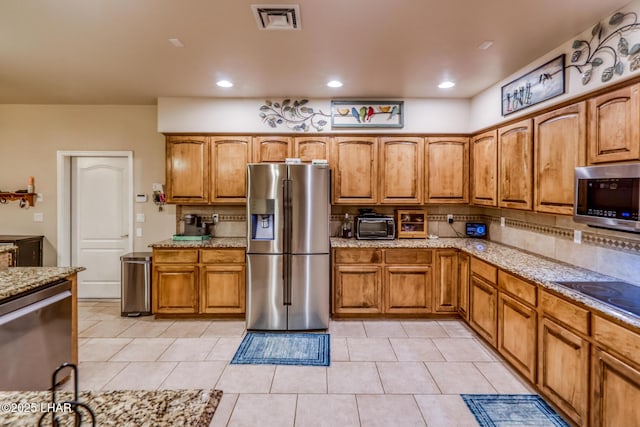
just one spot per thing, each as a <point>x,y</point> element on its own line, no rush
<point>283,349</point>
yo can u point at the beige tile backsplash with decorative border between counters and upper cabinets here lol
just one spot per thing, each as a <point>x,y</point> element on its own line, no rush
<point>609,252</point>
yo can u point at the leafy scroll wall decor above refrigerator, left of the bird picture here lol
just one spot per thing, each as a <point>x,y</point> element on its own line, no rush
<point>295,115</point>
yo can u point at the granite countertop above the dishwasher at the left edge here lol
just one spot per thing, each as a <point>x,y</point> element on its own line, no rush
<point>17,280</point>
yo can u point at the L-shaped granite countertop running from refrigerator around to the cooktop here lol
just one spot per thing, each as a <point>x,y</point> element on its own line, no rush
<point>536,268</point>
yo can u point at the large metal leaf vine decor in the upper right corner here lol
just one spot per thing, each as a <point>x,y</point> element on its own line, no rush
<point>608,46</point>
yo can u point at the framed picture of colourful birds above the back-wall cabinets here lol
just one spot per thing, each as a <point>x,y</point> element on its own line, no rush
<point>367,114</point>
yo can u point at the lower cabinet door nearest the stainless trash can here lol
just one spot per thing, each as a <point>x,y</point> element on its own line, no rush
<point>175,289</point>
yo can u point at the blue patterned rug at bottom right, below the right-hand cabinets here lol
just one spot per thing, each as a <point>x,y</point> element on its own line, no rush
<point>502,410</point>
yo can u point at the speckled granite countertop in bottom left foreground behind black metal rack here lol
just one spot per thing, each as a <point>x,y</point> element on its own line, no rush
<point>115,408</point>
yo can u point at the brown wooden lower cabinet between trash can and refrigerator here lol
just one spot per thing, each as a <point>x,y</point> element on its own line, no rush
<point>198,282</point>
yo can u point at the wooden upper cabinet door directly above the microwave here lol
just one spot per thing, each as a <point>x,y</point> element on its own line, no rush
<point>614,126</point>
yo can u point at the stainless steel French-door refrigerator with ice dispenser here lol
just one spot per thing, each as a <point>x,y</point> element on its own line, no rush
<point>288,246</point>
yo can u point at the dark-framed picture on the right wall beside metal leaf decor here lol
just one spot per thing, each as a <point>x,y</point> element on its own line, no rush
<point>545,82</point>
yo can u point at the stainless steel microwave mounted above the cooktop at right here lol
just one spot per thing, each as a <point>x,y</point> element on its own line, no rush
<point>608,196</point>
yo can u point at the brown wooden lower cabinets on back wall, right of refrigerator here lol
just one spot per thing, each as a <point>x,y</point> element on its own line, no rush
<point>394,281</point>
